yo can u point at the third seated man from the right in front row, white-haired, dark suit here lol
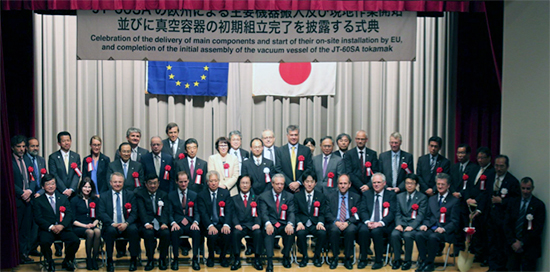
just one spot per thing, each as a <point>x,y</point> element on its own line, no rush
<point>377,211</point>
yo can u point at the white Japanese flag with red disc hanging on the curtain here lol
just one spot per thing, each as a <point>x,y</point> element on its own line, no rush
<point>294,79</point>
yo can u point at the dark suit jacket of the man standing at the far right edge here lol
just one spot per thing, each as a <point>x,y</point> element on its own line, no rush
<point>531,239</point>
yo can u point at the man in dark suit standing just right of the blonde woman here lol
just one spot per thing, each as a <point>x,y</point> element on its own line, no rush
<point>127,167</point>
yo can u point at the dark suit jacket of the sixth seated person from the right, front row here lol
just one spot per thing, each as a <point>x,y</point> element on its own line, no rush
<point>268,207</point>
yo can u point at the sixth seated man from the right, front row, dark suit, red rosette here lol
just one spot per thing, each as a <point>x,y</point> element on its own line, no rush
<point>278,217</point>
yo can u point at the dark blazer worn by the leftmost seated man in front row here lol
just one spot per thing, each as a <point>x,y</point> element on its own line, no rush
<point>44,215</point>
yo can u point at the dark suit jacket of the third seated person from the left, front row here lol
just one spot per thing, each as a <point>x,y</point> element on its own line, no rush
<point>106,207</point>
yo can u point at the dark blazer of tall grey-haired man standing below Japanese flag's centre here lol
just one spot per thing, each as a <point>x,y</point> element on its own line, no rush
<point>283,164</point>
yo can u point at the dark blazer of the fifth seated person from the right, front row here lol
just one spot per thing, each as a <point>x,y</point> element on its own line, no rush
<point>302,213</point>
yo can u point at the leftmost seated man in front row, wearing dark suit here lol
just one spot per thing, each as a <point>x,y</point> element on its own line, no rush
<point>53,215</point>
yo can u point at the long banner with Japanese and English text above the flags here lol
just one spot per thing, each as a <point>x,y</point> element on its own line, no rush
<point>247,36</point>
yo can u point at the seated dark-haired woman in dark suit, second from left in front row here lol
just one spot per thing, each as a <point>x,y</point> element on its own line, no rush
<point>85,208</point>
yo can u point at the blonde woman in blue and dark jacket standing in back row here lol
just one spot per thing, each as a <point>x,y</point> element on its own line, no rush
<point>95,166</point>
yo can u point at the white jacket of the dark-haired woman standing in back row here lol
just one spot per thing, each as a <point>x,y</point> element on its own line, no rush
<point>215,162</point>
